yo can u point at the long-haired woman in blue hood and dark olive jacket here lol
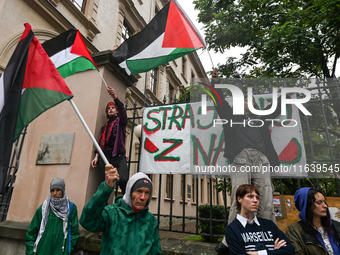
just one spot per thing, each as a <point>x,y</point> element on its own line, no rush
<point>316,232</point>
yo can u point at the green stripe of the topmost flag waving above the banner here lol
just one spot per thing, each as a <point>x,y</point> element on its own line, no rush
<point>144,65</point>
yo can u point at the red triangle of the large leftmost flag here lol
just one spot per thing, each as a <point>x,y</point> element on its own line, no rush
<point>41,72</point>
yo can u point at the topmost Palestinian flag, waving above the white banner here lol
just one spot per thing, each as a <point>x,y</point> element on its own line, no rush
<point>169,35</point>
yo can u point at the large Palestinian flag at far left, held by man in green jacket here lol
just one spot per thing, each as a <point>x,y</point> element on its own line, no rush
<point>29,86</point>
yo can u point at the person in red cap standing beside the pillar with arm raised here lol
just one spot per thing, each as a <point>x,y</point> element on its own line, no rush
<point>112,141</point>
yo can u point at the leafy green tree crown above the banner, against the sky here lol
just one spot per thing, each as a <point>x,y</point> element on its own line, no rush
<point>283,38</point>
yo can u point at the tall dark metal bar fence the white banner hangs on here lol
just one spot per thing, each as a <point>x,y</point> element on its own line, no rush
<point>322,144</point>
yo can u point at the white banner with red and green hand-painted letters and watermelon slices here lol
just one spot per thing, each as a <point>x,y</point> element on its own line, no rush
<point>178,139</point>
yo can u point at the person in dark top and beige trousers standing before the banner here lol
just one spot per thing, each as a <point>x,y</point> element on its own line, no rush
<point>249,145</point>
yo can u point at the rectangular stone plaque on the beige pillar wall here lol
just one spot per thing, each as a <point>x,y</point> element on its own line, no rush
<point>55,149</point>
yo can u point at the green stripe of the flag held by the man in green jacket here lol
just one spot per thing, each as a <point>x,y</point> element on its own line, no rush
<point>33,102</point>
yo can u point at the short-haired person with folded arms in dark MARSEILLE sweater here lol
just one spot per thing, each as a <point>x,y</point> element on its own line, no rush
<point>249,234</point>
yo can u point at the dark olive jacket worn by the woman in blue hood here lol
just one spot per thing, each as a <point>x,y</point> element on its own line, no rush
<point>305,243</point>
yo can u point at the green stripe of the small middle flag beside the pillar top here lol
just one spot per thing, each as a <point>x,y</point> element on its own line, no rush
<point>77,65</point>
